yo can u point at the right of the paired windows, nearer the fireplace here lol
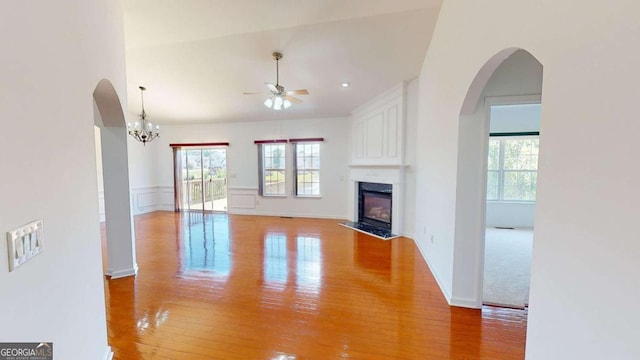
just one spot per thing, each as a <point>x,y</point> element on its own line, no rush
<point>307,168</point>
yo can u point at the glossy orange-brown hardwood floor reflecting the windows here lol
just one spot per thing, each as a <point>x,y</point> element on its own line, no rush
<point>219,286</point>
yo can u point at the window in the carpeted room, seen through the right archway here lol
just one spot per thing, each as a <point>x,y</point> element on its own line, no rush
<point>512,168</point>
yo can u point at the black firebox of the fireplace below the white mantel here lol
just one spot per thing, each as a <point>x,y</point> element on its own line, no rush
<point>375,205</point>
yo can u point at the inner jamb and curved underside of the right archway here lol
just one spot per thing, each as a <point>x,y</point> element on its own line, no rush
<point>511,73</point>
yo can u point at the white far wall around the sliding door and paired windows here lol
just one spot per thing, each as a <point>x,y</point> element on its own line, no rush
<point>242,164</point>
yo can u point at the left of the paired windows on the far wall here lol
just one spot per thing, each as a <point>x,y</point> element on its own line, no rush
<point>273,167</point>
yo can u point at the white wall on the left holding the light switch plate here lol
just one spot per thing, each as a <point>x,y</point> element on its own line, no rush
<point>49,168</point>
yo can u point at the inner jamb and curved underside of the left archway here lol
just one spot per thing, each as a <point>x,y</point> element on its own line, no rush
<point>120,239</point>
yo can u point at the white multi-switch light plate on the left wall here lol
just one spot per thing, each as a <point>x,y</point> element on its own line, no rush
<point>24,243</point>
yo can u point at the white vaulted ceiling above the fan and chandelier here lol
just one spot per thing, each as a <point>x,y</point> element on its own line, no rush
<point>197,57</point>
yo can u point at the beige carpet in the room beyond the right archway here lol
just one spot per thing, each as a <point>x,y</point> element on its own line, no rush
<point>507,266</point>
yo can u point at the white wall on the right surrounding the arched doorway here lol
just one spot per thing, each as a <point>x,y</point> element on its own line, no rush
<point>582,242</point>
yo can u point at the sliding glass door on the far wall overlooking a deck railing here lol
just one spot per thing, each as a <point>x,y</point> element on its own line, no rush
<point>201,179</point>
